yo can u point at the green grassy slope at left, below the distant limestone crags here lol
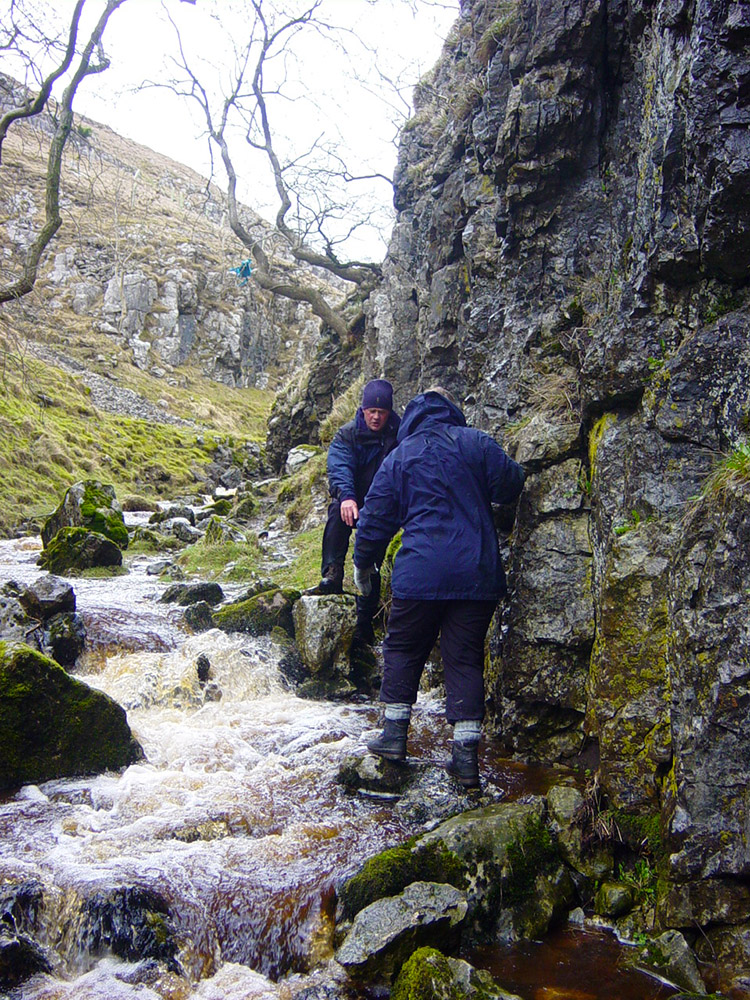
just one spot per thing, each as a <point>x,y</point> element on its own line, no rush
<point>51,434</point>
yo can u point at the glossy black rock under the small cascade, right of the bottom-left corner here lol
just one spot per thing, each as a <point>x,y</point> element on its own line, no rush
<point>130,922</point>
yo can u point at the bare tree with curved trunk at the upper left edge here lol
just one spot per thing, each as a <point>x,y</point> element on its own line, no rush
<point>91,60</point>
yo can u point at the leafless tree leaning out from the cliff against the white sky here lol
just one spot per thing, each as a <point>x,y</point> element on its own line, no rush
<point>313,218</point>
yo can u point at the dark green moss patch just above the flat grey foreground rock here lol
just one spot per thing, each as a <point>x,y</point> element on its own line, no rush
<point>389,872</point>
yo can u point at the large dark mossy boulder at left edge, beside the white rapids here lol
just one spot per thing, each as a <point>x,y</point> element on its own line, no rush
<point>54,726</point>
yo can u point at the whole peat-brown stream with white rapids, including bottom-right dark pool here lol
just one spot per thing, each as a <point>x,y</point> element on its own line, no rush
<point>235,822</point>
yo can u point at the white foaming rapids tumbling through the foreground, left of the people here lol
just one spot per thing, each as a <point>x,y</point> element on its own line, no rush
<point>227,840</point>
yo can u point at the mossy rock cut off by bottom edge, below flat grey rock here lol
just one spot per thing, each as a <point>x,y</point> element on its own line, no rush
<point>430,975</point>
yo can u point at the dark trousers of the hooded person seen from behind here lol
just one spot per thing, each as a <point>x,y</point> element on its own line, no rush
<point>413,628</point>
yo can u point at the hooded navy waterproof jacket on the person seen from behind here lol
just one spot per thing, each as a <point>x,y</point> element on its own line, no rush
<point>439,485</point>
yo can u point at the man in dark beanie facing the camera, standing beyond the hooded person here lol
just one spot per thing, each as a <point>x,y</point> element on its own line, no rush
<point>354,457</point>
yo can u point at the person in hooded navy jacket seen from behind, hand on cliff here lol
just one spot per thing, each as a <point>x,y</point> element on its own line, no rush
<point>439,485</point>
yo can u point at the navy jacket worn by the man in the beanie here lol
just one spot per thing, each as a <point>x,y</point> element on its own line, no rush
<point>355,454</point>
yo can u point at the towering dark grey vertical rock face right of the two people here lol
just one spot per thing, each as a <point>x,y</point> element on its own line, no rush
<point>571,258</point>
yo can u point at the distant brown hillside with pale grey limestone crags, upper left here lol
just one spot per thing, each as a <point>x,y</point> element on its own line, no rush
<point>144,256</point>
